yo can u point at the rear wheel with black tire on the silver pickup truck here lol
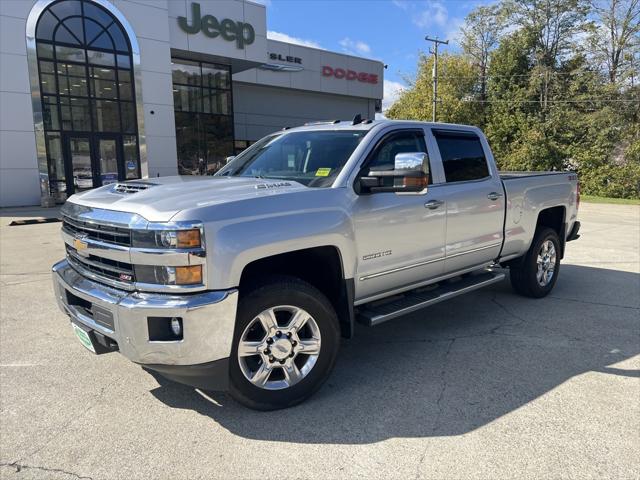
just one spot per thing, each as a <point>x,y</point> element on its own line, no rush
<point>525,278</point>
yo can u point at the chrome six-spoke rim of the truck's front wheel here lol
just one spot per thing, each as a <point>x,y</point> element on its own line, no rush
<point>279,347</point>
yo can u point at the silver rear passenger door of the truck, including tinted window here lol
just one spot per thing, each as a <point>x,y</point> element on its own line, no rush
<point>473,195</point>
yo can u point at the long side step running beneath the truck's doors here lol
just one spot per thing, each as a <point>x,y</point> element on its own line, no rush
<point>380,311</point>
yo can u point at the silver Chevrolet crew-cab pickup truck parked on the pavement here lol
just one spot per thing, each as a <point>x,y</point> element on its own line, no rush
<point>245,281</point>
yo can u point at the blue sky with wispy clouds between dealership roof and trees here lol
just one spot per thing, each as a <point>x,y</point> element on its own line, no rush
<point>392,31</point>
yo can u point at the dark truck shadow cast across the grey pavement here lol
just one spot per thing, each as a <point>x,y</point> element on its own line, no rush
<point>454,367</point>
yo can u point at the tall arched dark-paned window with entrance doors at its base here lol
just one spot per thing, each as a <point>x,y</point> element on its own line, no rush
<point>85,70</point>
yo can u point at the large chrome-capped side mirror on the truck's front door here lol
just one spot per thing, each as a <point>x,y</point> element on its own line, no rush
<point>410,174</point>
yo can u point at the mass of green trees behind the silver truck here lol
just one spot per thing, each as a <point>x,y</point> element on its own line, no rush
<point>541,98</point>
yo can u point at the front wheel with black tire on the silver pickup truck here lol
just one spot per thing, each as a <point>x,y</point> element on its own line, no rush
<point>275,302</point>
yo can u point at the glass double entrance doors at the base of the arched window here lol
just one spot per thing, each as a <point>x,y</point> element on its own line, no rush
<point>92,161</point>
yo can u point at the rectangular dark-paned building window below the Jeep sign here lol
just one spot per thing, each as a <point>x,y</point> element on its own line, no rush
<point>204,116</point>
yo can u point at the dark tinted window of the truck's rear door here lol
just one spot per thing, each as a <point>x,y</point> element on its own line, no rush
<point>462,156</point>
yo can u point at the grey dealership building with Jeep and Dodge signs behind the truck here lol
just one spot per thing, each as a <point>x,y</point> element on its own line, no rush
<point>98,91</point>
